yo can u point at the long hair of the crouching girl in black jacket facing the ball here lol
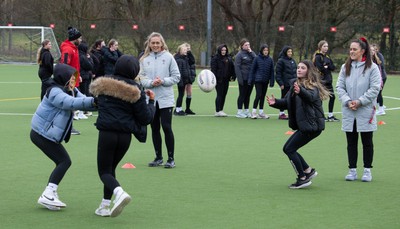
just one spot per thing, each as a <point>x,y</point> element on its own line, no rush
<point>312,80</point>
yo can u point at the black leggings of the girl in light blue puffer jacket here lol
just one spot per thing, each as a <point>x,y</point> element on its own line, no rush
<point>56,152</point>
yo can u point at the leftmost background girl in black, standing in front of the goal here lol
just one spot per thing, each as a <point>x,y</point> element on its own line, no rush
<point>46,62</point>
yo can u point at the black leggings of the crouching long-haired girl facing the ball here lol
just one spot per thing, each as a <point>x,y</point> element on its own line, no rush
<point>295,142</point>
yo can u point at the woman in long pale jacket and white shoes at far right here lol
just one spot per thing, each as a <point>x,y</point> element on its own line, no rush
<point>358,87</point>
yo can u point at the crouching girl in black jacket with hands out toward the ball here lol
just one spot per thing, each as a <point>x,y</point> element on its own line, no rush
<point>306,116</point>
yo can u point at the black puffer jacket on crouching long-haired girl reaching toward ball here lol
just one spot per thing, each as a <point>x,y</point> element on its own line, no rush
<point>305,109</point>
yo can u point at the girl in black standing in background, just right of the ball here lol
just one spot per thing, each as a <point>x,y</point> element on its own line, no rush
<point>224,70</point>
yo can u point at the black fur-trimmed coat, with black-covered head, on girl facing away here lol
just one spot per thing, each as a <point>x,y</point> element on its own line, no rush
<point>121,104</point>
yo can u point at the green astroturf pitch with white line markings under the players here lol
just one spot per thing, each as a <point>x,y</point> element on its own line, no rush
<point>230,172</point>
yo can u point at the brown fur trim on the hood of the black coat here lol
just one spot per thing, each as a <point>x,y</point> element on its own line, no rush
<point>115,88</point>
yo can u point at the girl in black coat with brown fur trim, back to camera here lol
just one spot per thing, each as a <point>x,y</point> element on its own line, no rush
<point>122,108</point>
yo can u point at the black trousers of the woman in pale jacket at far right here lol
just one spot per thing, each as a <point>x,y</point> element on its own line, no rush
<point>352,147</point>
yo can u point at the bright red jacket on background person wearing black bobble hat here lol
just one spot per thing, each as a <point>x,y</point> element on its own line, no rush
<point>70,56</point>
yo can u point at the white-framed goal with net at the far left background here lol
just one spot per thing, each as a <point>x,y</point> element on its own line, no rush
<point>19,44</point>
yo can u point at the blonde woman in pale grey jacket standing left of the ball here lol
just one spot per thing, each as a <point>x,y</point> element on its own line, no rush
<point>159,72</point>
